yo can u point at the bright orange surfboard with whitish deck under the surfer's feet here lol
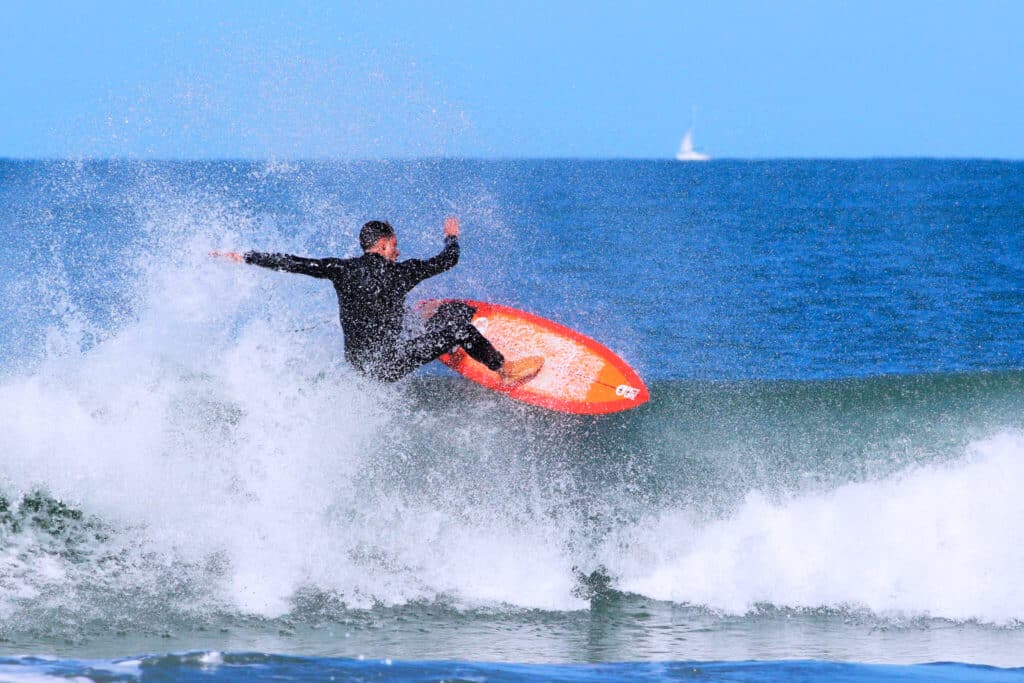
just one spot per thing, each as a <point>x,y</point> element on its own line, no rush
<point>579,375</point>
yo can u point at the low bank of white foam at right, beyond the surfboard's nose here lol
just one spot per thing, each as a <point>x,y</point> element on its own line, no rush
<point>940,541</point>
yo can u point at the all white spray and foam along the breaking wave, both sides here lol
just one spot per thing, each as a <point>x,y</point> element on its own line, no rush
<point>211,454</point>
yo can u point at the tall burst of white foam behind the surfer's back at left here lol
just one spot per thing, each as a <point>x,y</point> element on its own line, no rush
<point>219,443</point>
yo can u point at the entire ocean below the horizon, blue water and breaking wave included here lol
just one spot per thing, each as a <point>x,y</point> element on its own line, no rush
<point>825,486</point>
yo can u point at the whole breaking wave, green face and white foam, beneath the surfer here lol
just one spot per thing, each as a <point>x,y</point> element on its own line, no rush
<point>185,451</point>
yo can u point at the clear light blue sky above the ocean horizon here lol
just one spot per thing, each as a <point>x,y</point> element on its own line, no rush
<point>388,79</point>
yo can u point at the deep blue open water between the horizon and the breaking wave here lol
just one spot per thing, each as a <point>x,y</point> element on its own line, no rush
<point>791,270</point>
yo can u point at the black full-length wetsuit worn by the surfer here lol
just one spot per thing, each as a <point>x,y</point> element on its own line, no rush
<point>372,306</point>
